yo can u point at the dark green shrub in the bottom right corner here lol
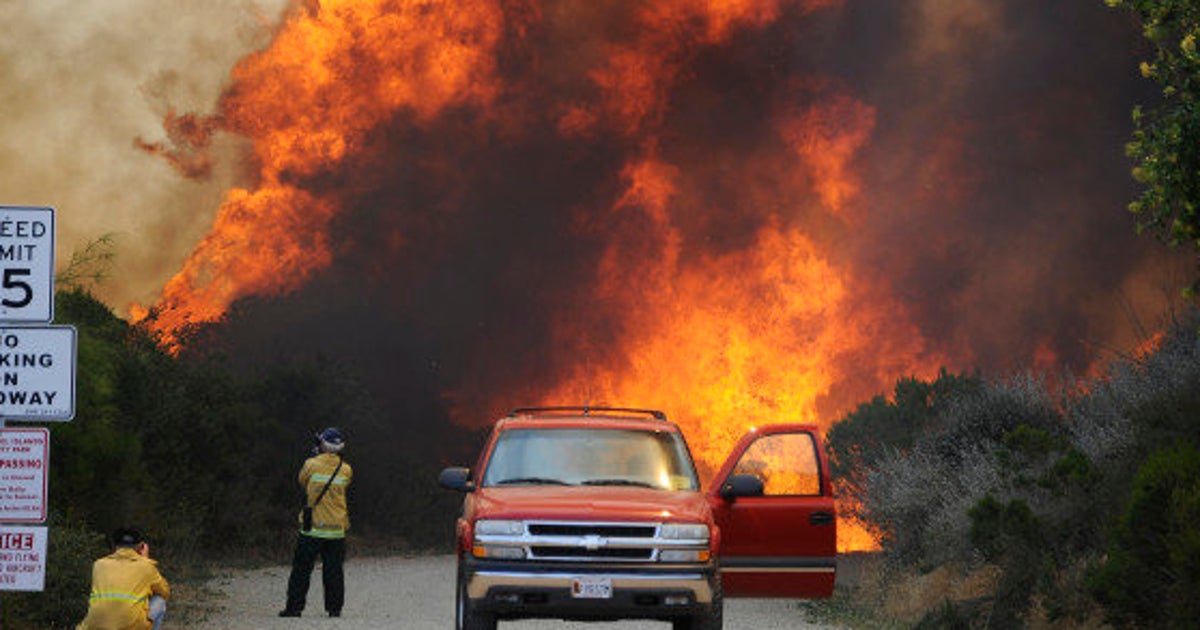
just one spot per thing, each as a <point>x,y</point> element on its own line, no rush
<point>1153,574</point>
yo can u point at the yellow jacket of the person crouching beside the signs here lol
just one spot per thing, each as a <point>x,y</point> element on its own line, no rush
<point>122,585</point>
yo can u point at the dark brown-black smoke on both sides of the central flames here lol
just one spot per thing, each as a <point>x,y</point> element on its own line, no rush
<point>994,193</point>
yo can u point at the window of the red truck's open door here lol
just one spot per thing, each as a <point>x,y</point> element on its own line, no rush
<point>787,464</point>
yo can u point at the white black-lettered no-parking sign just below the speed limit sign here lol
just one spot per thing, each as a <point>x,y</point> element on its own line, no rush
<point>38,373</point>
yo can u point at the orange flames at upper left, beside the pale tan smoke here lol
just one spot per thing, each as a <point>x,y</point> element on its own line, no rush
<point>293,100</point>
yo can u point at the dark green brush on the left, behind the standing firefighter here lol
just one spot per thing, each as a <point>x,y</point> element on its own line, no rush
<point>201,453</point>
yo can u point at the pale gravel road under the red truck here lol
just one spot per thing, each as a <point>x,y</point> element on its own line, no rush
<point>413,595</point>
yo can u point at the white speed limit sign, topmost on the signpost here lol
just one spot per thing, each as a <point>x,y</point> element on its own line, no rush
<point>27,265</point>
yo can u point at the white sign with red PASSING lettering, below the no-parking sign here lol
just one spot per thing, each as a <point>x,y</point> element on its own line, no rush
<point>25,472</point>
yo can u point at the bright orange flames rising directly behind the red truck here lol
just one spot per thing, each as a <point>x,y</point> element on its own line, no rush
<point>757,335</point>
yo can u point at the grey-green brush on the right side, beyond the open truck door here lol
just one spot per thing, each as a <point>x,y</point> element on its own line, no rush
<point>1043,507</point>
